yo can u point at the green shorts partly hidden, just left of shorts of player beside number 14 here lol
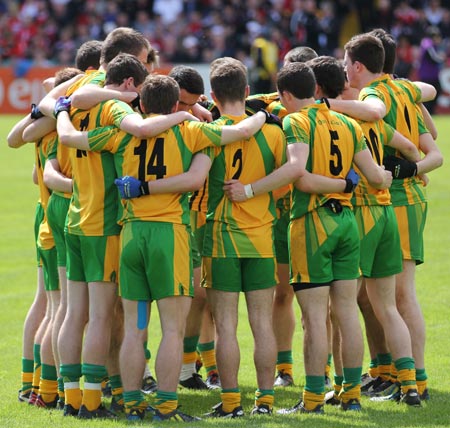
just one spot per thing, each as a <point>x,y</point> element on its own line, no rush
<point>56,216</point>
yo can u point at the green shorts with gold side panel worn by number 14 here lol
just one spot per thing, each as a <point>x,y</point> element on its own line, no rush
<point>155,261</point>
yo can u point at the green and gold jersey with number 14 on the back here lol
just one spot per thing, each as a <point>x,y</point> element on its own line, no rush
<point>166,155</point>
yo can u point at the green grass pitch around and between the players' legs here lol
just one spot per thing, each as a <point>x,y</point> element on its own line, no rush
<point>18,281</point>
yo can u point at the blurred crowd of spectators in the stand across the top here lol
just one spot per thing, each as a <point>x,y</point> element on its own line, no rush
<point>258,32</point>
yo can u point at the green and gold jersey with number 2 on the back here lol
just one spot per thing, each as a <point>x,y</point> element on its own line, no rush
<point>243,229</point>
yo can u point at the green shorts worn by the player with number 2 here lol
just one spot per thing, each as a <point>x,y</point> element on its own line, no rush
<point>239,274</point>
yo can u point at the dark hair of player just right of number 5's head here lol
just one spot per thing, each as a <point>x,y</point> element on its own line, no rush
<point>330,75</point>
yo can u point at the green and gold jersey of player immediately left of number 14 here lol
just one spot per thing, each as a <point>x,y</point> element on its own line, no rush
<point>93,210</point>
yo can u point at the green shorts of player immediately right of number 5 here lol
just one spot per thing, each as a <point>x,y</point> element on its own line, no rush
<point>381,254</point>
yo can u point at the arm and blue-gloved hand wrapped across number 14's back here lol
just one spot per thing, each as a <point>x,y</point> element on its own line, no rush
<point>189,181</point>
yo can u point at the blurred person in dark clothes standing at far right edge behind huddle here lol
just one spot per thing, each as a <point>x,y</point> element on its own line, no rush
<point>432,58</point>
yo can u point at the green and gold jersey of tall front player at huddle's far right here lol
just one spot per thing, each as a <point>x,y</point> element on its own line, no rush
<point>400,98</point>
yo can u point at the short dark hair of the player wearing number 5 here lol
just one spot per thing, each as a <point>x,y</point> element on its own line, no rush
<point>298,79</point>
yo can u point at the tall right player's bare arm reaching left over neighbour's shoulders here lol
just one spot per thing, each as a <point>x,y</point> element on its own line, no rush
<point>370,110</point>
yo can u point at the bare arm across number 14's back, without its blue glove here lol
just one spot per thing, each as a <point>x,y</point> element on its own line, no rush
<point>191,180</point>
